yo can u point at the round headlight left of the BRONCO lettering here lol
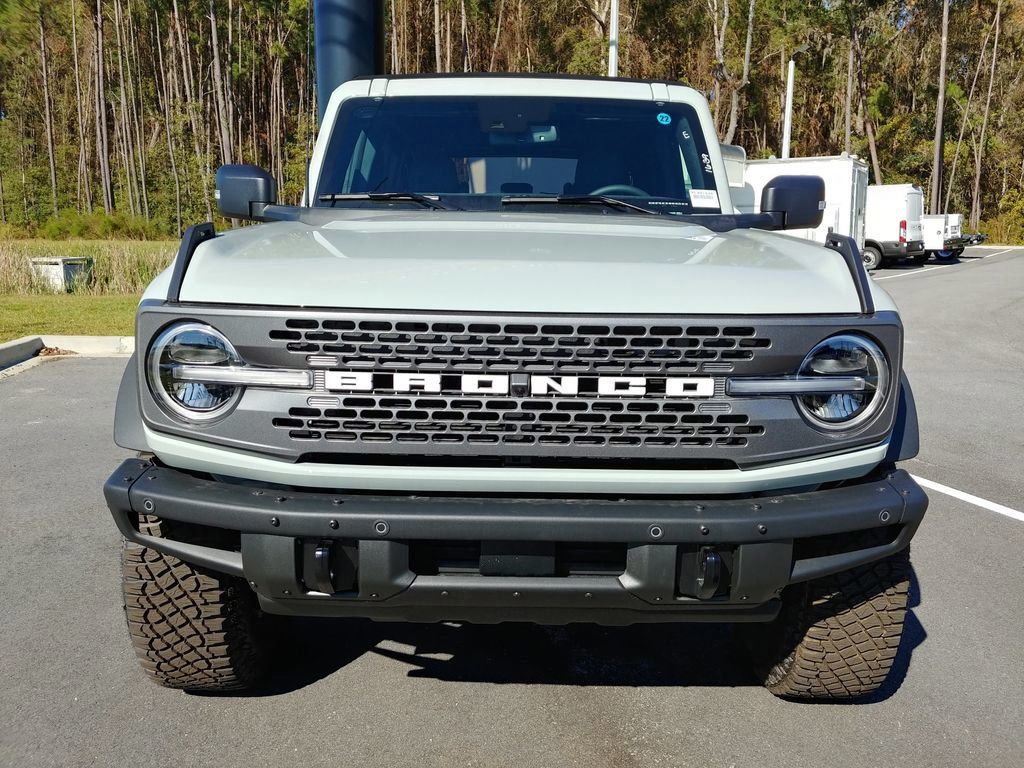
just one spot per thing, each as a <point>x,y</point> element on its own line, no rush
<point>175,356</point>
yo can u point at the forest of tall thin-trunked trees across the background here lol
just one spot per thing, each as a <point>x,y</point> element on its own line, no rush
<point>115,114</point>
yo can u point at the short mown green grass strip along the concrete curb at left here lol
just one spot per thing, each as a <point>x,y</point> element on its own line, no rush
<point>68,315</point>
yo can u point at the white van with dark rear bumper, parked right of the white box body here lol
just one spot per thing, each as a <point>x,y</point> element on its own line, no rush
<point>893,225</point>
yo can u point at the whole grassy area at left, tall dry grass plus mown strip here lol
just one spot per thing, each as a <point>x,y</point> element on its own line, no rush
<point>103,307</point>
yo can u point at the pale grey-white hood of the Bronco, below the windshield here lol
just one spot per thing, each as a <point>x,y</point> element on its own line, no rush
<point>538,264</point>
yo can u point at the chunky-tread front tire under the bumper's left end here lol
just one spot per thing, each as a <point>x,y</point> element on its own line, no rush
<point>192,628</point>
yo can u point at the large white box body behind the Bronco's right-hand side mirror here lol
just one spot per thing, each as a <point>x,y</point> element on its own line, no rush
<point>846,192</point>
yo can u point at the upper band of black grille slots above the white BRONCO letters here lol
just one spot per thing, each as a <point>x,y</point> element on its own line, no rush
<point>501,348</point>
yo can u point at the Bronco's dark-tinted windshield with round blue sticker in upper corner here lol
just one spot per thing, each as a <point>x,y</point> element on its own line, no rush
<point>483,153</point>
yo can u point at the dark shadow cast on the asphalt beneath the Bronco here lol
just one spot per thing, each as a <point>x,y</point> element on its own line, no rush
<point>665,655</point>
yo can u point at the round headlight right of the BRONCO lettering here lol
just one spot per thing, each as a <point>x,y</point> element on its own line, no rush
<point>850,357</point>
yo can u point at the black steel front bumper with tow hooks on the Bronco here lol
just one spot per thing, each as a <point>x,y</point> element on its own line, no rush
<point>276,538</point>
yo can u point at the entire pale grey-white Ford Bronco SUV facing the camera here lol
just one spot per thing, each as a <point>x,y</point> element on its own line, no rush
<point>518,359</point>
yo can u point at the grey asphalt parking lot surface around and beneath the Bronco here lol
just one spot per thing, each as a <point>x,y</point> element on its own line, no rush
<point>360,694</point>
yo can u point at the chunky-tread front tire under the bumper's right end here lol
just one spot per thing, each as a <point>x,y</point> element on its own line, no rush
<point>836,637</point>
